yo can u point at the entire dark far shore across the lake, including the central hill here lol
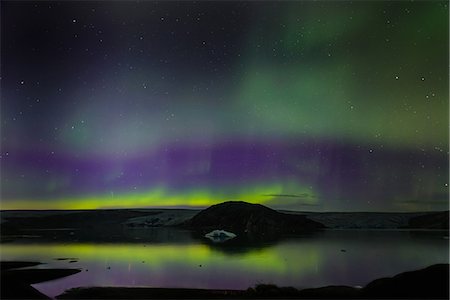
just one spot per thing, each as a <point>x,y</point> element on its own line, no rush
<point>115,224</point>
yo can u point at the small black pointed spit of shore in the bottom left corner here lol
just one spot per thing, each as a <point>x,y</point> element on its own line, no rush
<point>16,282</point>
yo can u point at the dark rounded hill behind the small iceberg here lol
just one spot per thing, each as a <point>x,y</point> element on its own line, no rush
<point>253,219</point>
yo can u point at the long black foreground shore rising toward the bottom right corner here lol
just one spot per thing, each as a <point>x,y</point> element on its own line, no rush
<point>428,283</point>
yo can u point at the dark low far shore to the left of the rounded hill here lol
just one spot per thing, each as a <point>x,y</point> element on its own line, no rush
<point>109,226</point>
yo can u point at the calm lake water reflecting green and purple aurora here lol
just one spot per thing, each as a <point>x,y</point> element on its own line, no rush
<point>174,259</point>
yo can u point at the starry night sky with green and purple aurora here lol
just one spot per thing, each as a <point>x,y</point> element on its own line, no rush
<point>318,106</point>
